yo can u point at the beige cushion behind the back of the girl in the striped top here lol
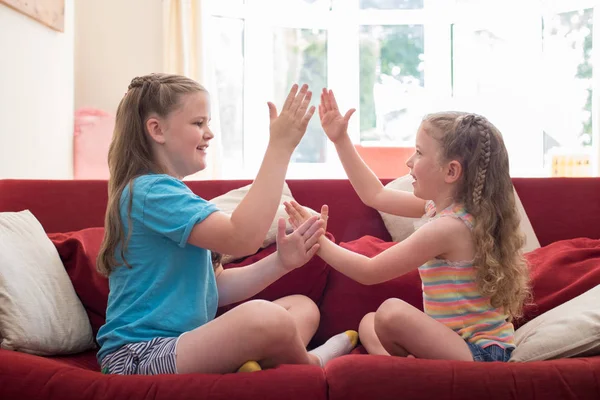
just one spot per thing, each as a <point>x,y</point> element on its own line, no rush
<point>402,227</point>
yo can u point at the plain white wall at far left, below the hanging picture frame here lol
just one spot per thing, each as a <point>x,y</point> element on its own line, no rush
<point>36,97</point>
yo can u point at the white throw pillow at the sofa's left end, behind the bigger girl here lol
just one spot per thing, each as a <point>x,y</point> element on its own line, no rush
<point>40,312</point>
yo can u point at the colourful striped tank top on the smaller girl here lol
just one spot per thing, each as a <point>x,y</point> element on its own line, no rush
<point>451,296</point>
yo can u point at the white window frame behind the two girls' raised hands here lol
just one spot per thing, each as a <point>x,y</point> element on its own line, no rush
<point>437,18</point>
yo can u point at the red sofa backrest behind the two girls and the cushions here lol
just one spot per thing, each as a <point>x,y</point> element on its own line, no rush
<point>558,208</point>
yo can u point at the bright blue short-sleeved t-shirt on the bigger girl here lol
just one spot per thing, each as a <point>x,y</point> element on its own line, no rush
<point>170,287</point>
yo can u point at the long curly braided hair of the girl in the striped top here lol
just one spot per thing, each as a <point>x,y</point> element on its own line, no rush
<point>486,190</point>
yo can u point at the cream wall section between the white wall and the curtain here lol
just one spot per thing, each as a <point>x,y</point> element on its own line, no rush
<point>115,41</point>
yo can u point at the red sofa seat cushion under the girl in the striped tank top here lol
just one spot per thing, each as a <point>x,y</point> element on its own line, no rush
<point>357,377</point>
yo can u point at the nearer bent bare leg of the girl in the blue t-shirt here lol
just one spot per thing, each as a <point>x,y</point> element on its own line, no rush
<point>257,330</point>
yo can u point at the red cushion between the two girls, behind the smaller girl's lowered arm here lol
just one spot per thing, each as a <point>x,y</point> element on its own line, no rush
<point>346,302</point>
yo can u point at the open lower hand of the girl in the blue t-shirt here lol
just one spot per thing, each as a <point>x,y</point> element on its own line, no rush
<point>297,248</point>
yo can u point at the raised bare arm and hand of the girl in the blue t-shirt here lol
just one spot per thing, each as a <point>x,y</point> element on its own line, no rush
<point>243,232</point>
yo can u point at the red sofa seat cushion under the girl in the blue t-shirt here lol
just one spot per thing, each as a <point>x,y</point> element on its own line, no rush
<point>34,377</point>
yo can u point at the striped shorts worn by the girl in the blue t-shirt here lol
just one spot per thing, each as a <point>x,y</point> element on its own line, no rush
<point>145,358</point>
